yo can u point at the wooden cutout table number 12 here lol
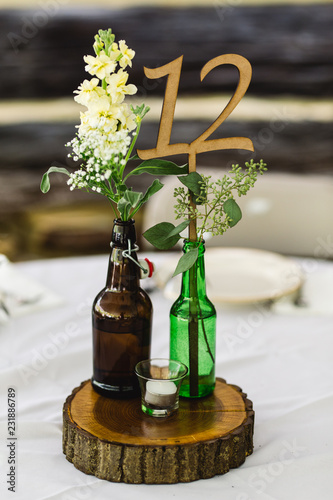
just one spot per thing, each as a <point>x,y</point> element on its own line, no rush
<point>200,144</point>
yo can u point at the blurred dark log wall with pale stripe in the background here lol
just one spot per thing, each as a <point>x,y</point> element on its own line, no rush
<point>287,111</point>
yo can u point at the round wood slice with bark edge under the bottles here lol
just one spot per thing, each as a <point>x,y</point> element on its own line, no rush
<point>114,440</point>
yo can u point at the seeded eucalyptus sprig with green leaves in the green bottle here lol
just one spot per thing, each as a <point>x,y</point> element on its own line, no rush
<point>210,202</point>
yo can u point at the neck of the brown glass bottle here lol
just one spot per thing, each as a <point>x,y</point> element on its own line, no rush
<point>123,273</point>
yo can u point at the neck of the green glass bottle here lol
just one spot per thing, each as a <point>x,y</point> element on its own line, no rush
<point>193,280</point>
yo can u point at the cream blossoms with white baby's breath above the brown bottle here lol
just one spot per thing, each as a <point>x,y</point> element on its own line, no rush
<point>105,132</point>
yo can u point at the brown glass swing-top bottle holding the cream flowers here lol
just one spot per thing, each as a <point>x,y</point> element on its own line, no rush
<point>122,320</point>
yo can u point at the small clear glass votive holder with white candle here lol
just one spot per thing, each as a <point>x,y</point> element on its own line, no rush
<point>160,381</point>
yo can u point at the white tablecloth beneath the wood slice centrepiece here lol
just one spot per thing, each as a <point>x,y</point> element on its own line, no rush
<point>282,361</point>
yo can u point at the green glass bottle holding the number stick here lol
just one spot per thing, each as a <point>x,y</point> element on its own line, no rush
<point>193,329</point>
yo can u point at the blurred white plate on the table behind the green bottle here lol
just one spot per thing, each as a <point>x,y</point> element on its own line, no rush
<point>239,276</point>
